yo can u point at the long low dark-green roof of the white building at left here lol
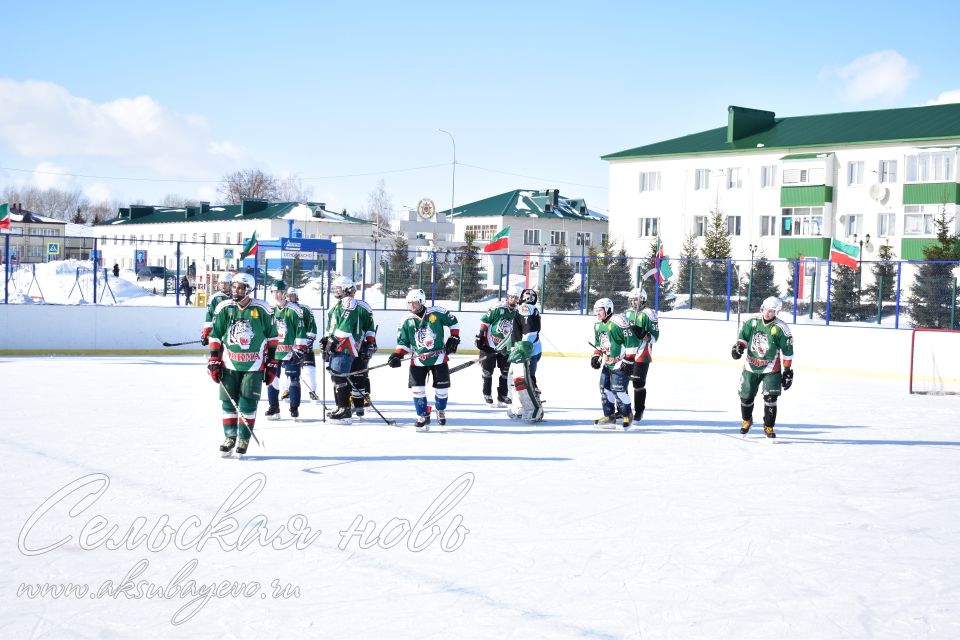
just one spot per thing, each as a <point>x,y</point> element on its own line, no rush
<point>248,210</point>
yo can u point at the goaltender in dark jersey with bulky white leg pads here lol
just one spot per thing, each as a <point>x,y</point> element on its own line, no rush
<point>526,354</point>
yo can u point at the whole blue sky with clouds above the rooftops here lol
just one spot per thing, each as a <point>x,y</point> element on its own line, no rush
<point>344,96</point>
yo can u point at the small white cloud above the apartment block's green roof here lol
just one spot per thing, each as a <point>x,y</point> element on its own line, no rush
<point>878,75</point>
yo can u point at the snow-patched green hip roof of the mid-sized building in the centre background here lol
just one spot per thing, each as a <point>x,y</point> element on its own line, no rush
<point>526,203</point>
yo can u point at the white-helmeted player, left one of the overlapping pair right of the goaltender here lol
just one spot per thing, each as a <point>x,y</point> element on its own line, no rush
<point>614,357</point>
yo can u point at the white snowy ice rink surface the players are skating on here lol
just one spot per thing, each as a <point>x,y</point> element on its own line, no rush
<point>847,527</point>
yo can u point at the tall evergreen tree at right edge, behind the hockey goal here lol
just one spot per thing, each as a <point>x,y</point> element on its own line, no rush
<point>930,295</point>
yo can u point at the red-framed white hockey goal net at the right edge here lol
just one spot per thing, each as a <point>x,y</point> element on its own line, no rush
<point>935,361</point>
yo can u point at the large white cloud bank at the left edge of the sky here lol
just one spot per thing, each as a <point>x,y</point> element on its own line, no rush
<point>43,120</point>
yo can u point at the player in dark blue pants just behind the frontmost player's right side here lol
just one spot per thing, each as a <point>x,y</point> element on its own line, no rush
<point>290,351</point>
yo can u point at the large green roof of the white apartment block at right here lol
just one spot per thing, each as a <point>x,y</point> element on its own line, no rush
<point>749,129</point>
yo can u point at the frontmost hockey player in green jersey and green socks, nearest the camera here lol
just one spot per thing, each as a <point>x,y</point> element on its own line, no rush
<point>243,345</point>
